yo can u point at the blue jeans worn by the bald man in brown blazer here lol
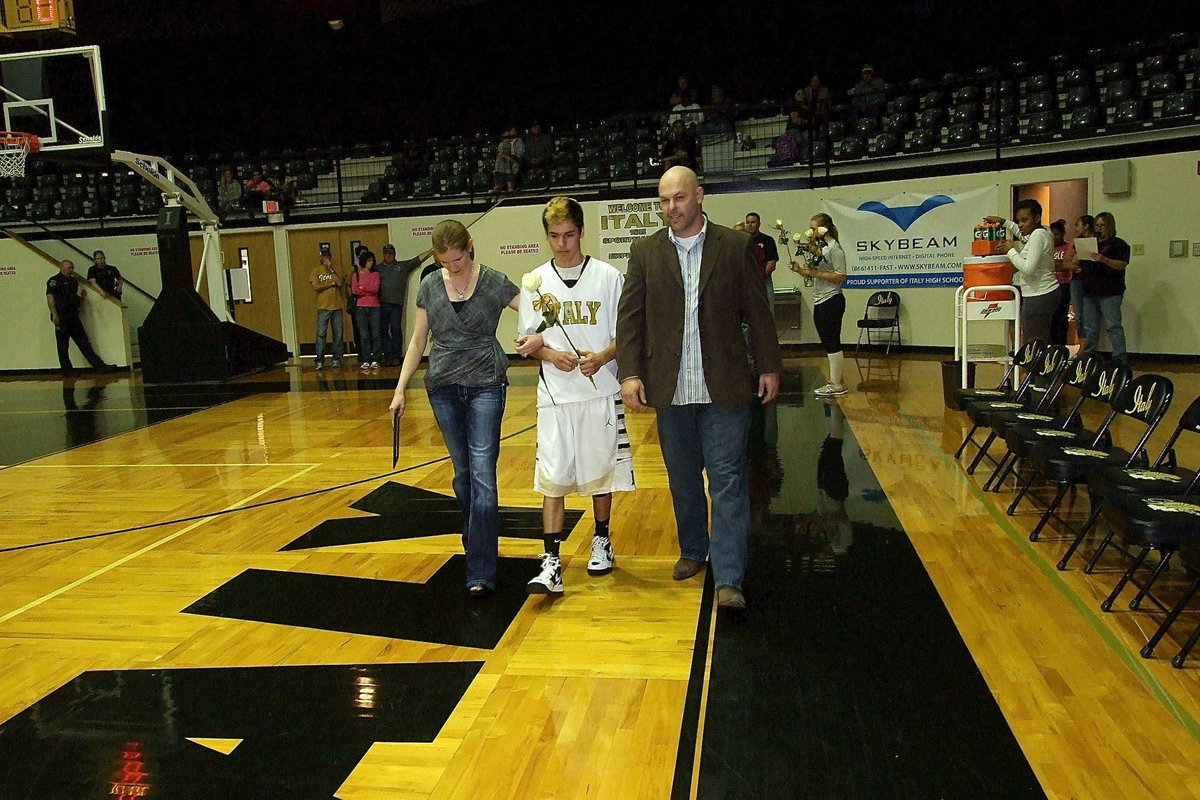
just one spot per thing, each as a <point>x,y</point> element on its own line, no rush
<point>699,440</point>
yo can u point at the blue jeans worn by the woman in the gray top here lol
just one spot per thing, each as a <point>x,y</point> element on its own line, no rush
<point>470,418</point>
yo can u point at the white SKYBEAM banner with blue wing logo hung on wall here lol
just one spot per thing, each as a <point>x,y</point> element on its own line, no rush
<point>910,240</point>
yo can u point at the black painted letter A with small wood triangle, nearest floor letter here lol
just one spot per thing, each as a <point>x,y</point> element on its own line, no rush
<point>303,730</point>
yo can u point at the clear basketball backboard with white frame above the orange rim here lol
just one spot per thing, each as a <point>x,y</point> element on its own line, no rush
<point>58,97</point>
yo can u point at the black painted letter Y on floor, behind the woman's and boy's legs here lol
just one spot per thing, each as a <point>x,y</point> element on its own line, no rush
<point>409,513</point>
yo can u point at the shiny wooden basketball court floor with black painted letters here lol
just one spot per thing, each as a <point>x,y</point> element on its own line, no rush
<point>227,592</point>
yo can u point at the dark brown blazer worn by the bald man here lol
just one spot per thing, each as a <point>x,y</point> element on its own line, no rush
<point>650,320</point>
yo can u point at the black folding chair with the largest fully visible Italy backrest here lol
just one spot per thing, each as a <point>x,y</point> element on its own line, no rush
<point>1144,400</point>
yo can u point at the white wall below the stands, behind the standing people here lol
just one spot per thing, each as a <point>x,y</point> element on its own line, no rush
<point>1161,306</point>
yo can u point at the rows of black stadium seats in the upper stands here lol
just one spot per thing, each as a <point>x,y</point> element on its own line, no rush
<point>1052,111</point>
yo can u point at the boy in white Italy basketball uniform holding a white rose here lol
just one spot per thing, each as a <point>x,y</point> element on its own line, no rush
<point>583,446</point>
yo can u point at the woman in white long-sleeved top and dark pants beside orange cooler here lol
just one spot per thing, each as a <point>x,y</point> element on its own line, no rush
<point>1031,251</point>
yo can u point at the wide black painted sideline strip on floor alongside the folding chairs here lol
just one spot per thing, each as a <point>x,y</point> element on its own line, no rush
<point>847,679</point>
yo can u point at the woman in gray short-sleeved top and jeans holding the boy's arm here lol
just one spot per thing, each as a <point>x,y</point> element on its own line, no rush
<point>461,305</point>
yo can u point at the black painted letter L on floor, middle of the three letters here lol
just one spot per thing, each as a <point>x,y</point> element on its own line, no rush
<point>437,611</point>
